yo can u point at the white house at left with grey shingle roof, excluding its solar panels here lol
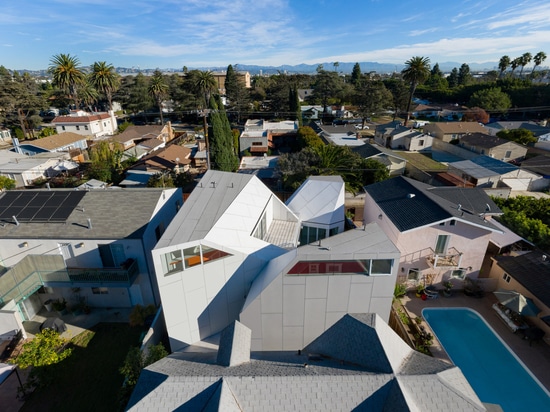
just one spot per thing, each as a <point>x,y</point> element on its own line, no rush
<point>103,217</point>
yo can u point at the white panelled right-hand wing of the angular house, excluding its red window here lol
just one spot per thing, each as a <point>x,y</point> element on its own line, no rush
<point>287,311</point>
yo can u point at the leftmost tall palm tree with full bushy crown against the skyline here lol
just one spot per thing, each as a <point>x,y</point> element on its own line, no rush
<point>67,75</point>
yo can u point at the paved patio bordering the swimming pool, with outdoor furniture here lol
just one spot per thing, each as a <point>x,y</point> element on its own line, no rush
<point>536,356</point>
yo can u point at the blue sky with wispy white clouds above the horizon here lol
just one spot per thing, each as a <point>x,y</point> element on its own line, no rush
<point>215,33</point>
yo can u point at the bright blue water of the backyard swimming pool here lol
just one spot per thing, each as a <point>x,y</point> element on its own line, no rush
<point>493,371</point>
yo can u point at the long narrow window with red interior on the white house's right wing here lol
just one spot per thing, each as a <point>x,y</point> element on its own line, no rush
<point>367,267</point>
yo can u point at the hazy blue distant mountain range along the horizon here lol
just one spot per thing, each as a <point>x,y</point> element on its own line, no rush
<point>345,68</point>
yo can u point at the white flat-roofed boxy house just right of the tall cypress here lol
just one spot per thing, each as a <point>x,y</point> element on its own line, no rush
<point>259,136</point>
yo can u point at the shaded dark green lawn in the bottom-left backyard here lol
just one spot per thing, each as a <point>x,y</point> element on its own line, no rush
<point>88,380</point>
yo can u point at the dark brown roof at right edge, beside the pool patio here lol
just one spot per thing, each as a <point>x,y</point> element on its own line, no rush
<point>531,271</point>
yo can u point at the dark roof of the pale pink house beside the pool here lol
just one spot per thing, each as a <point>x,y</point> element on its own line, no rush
<point>410,204</point>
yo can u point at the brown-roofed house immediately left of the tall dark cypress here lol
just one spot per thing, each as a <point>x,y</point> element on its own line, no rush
<point>173,158</point>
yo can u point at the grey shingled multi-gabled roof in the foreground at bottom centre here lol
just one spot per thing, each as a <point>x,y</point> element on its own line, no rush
<point>358,363</point>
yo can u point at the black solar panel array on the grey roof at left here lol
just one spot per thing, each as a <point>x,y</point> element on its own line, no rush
<point>47,206</point>
